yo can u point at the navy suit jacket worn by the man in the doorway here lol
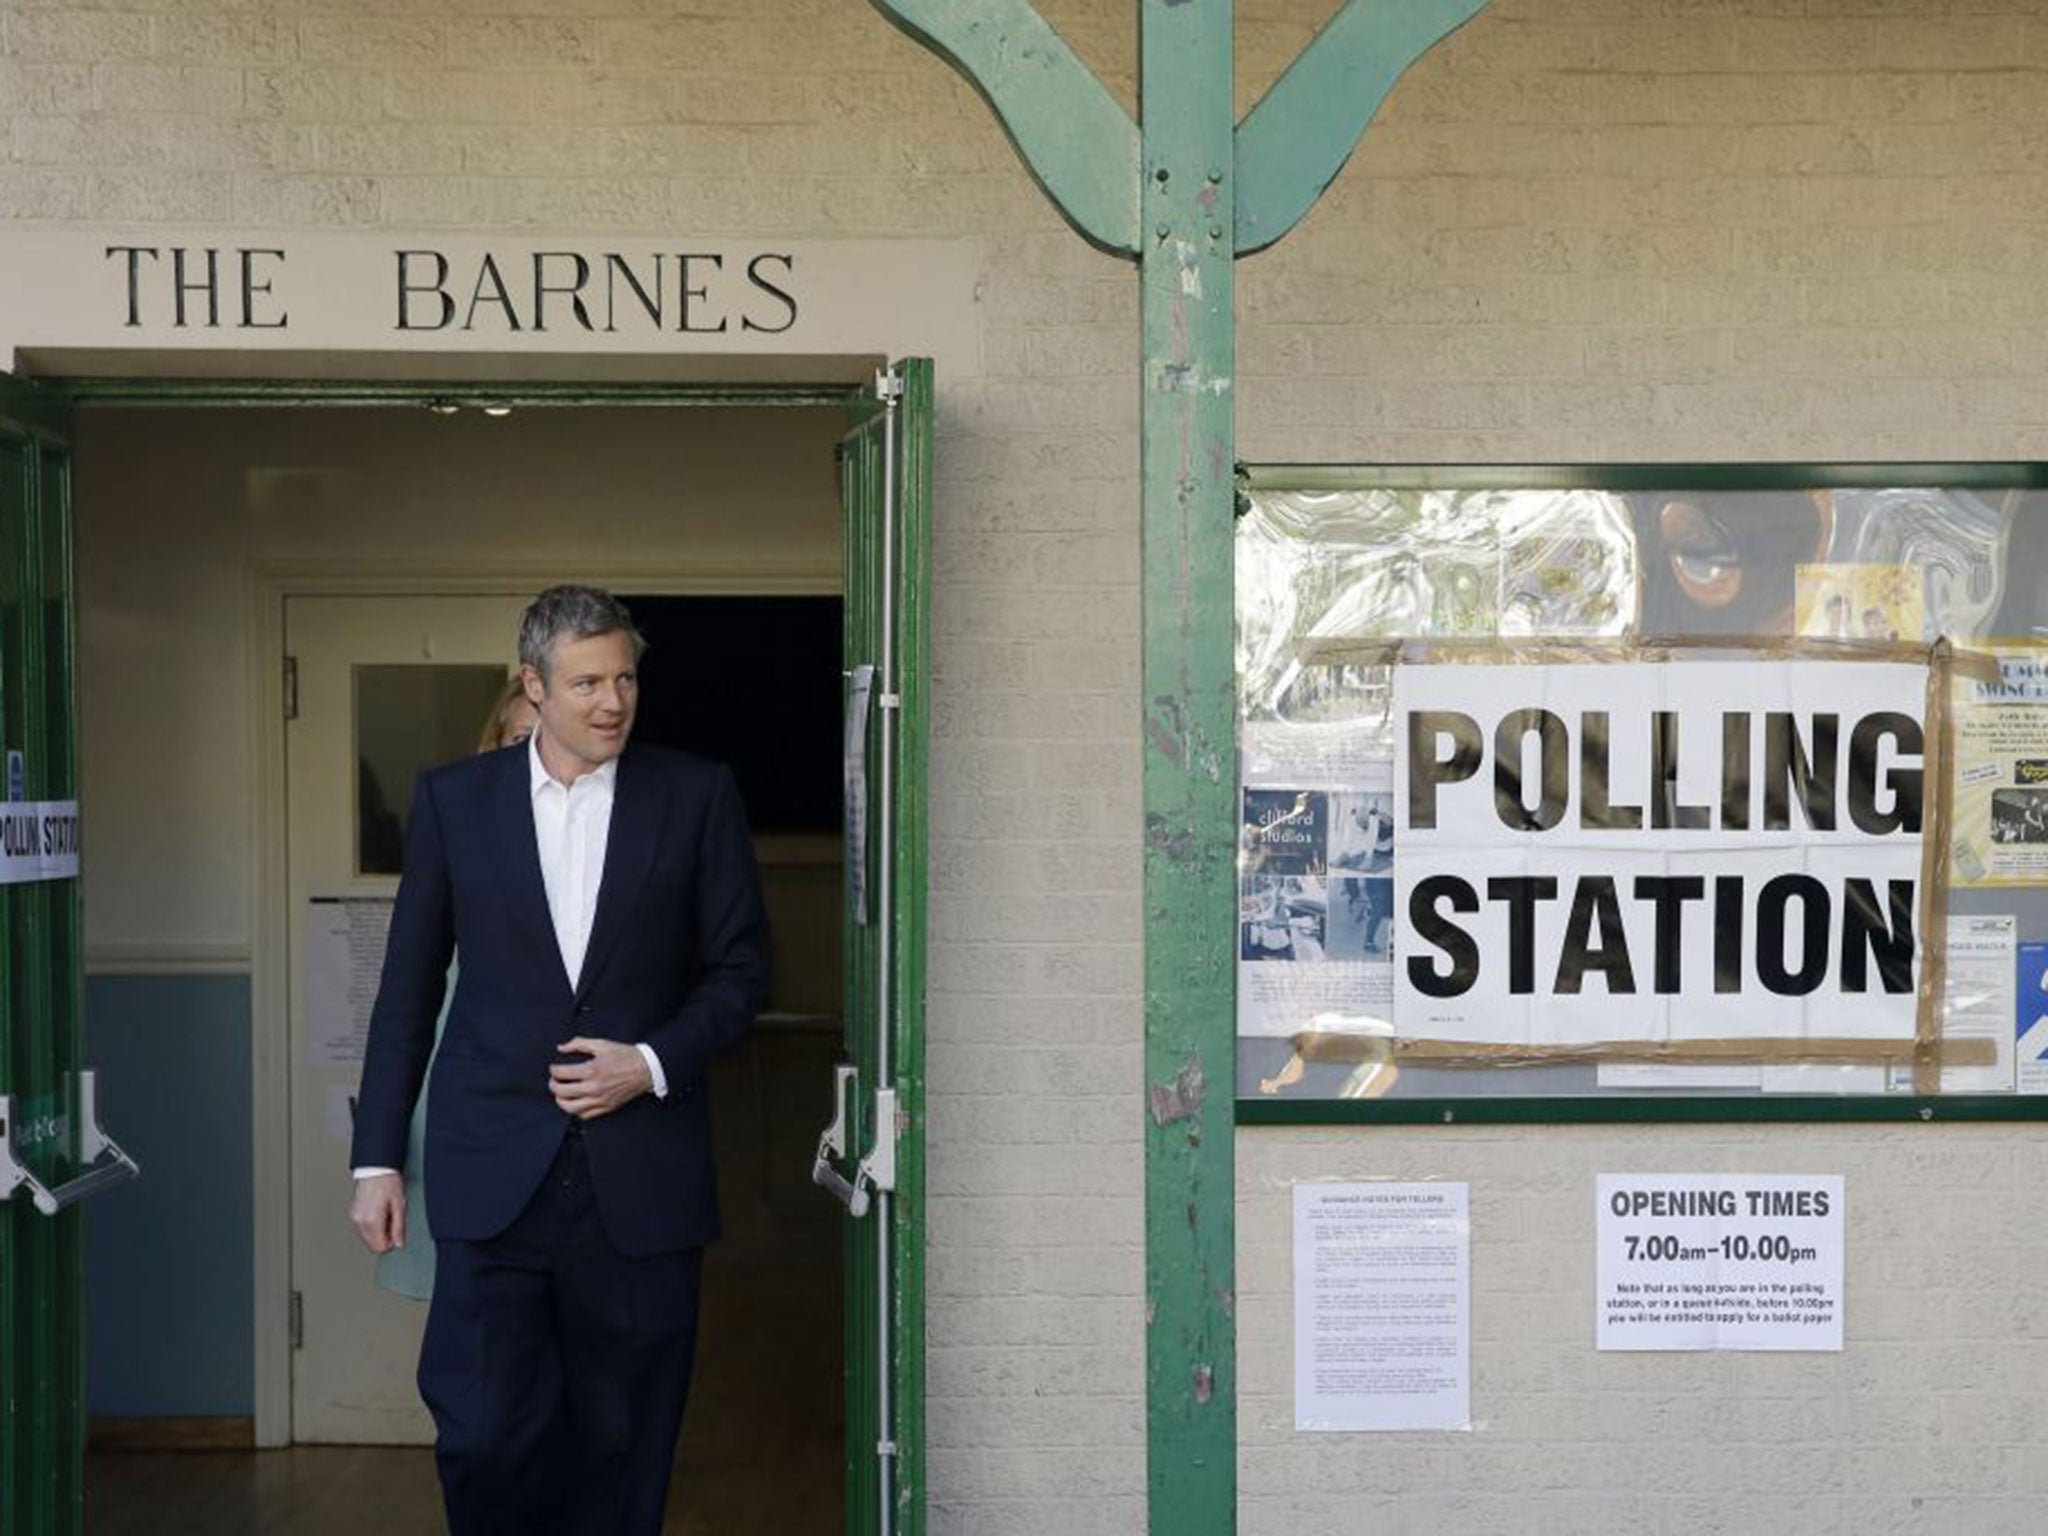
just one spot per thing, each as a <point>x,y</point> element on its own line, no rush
<point>679,957</point>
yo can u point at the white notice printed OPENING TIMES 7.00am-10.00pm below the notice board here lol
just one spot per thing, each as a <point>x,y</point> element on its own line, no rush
<point>1719,1263</point>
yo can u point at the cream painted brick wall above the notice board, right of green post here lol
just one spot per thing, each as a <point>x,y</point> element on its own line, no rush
<point>1666,230</point>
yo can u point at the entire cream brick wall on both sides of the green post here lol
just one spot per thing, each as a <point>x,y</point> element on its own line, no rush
<point>1582,230</point>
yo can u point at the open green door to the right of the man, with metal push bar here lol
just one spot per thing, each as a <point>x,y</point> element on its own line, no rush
<point>873,1154</point>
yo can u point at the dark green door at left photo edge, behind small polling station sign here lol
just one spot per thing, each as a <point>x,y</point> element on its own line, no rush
<point>42,1271</point>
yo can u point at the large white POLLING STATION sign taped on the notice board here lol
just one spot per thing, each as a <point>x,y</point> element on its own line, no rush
<point>1660,851</point>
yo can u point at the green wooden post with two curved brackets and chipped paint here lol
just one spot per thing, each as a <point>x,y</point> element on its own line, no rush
<point>1187,196</point>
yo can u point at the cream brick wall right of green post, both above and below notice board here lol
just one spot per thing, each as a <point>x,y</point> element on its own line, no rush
<point>1674,230</point>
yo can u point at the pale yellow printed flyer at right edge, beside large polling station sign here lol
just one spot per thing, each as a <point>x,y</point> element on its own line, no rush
<point>2000,833</point>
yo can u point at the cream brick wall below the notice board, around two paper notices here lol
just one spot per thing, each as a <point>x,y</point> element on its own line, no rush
<point>1928,1422</point>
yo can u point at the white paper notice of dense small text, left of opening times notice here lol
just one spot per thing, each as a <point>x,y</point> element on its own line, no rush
<point>1383,1308</point>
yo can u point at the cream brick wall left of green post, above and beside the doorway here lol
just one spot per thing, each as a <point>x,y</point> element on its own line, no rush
<point>787,118</point>
